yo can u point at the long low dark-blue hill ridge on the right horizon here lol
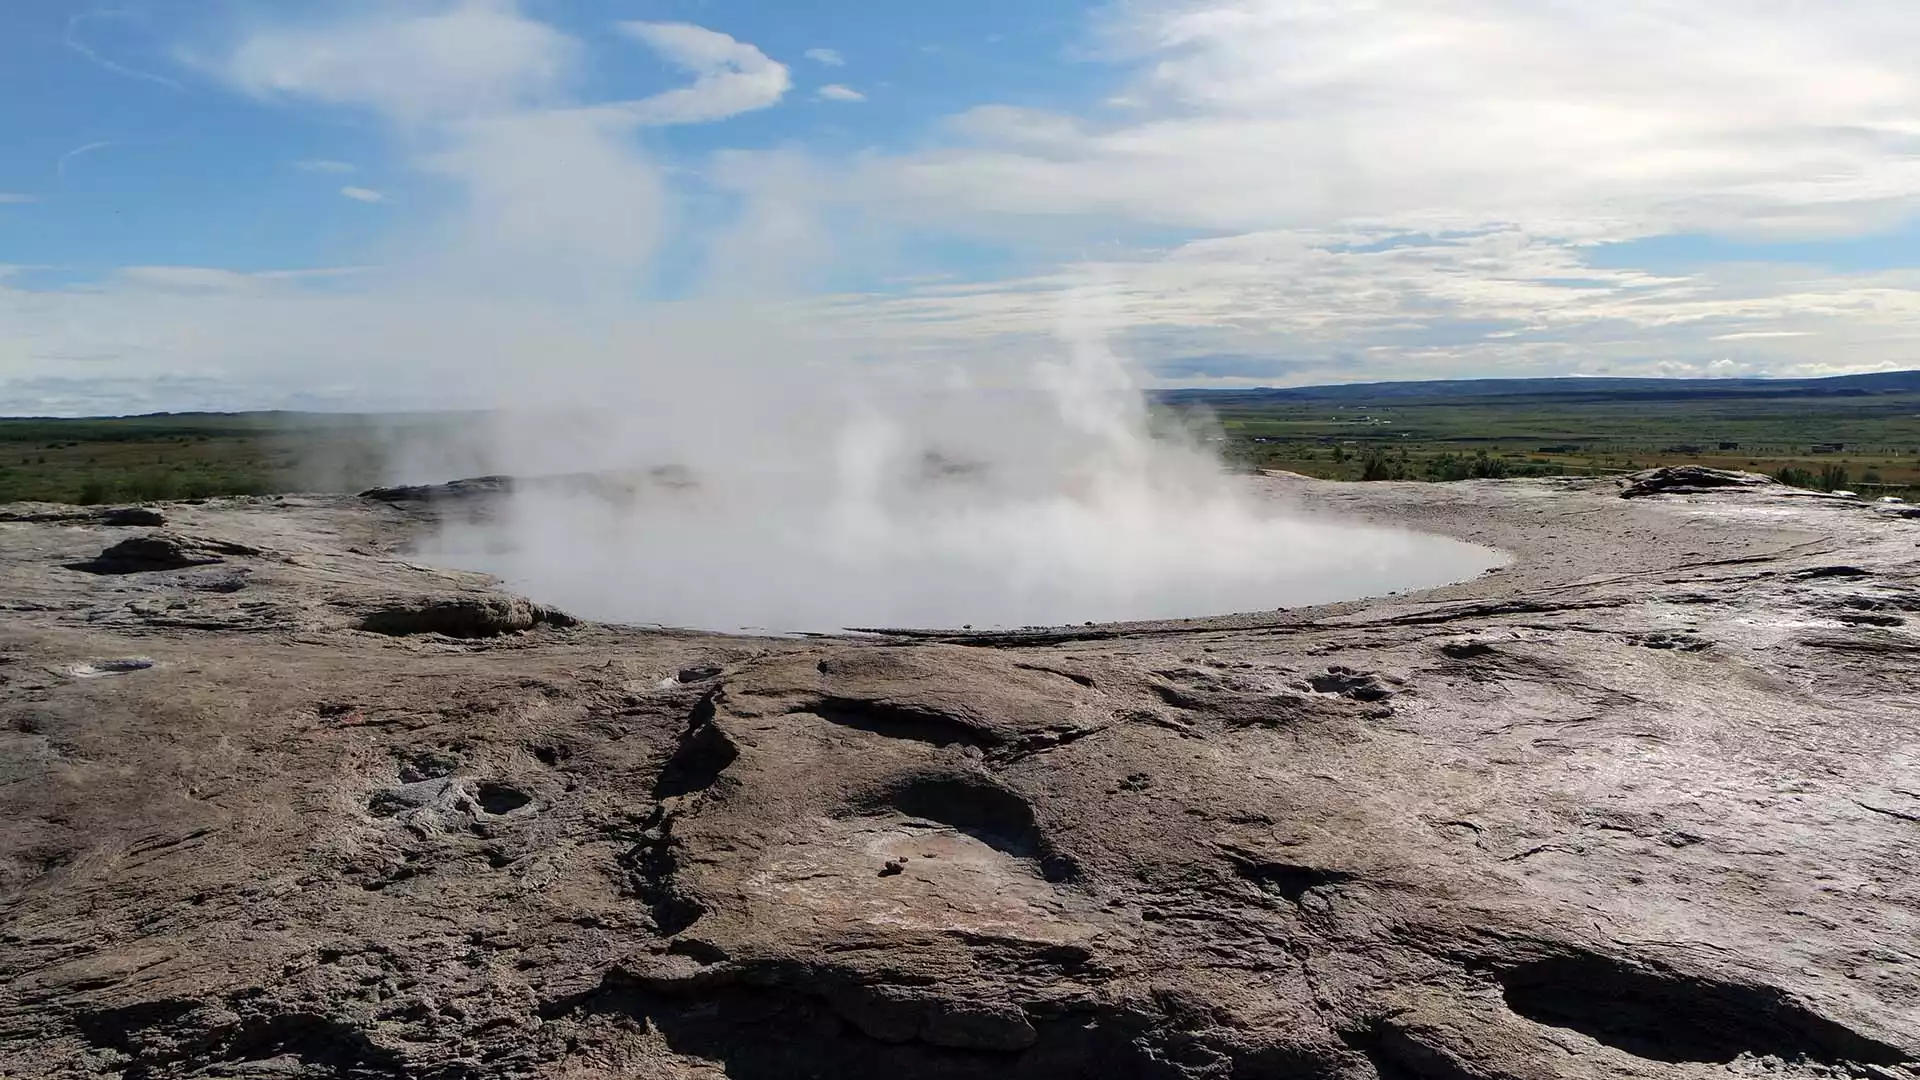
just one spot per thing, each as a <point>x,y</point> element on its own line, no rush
<point>1568,389</point>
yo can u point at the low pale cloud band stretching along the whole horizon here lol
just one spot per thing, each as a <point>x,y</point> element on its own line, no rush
<point>1291,307</point>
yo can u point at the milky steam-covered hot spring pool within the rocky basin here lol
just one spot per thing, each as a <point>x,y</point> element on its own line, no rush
<point>694,558</point>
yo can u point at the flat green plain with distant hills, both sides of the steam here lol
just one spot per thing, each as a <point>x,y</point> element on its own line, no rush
<point>1860,433</point>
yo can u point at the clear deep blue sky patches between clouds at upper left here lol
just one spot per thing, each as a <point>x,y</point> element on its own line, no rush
<point>153,164</point>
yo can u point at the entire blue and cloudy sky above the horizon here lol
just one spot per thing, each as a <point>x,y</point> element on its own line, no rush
<point>362,203</point>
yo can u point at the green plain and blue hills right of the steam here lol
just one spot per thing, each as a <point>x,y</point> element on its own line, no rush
<point>1860,433</point>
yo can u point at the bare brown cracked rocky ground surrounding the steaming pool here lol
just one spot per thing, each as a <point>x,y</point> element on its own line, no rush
<point>277,802</point>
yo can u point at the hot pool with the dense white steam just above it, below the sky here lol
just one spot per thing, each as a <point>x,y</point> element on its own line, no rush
<point>957,508</point>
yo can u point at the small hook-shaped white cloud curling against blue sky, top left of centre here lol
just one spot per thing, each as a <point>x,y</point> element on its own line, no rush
<point>729,76</point>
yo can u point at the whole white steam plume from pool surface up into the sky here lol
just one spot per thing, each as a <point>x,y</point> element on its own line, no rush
<point>752,454</point>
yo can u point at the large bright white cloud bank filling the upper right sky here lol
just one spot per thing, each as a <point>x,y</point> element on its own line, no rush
<point>1604,120</point>
